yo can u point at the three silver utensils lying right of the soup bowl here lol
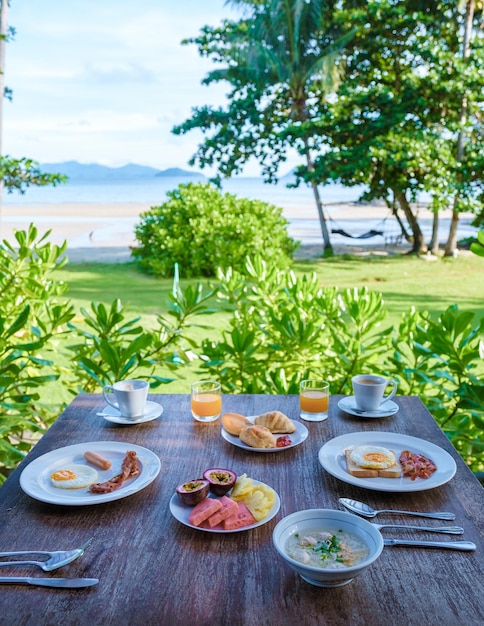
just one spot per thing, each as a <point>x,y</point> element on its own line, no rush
<point>366,511</point>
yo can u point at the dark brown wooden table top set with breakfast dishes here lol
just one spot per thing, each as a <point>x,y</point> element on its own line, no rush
<point>154,570</point>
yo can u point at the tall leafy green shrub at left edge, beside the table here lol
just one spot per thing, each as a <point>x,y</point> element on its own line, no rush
<point>32,320</point>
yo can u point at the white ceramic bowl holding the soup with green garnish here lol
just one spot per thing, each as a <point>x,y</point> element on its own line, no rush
<point>327,519</point>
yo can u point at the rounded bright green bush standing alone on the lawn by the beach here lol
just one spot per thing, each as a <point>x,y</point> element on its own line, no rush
<point>202,229</point>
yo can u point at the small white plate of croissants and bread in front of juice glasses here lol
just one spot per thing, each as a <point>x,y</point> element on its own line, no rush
<point>269,432</point>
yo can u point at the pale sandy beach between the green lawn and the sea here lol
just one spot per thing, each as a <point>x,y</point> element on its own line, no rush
<point>105,231</point>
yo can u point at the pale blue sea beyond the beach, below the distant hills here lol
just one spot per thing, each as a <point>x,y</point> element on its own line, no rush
<point>297,204</point>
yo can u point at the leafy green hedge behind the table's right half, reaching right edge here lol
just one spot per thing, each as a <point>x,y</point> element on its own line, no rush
<point>284,328</point>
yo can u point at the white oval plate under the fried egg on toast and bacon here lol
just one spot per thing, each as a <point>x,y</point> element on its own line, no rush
<point>332,458</point>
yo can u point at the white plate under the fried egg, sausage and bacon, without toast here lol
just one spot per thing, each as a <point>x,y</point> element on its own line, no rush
<point>35,479</point>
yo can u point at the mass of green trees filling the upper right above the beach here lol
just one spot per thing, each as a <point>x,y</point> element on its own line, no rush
<point>393,124</point>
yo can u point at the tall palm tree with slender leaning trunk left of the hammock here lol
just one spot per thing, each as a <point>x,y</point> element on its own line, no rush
<point>291,49</point>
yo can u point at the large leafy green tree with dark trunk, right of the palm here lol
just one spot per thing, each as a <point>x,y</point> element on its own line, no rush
<point>395,121</point>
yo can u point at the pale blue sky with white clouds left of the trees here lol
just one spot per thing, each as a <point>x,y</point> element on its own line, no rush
<point>105,81</point>
